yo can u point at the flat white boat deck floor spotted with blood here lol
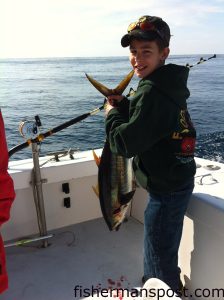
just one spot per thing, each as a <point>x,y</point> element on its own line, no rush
<point>86,255</point>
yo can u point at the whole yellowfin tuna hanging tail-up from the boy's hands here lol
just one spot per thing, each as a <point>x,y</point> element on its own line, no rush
<point>116,184</point>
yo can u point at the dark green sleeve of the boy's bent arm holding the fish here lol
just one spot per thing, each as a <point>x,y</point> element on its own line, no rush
<point>149,122</point>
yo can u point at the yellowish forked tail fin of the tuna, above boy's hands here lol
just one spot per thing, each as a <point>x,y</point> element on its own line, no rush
<point>107,92</point>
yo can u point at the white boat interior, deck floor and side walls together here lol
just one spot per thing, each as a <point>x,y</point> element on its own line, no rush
<point>83,252</point>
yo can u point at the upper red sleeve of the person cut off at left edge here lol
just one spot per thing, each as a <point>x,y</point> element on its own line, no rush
<point>7,193</point>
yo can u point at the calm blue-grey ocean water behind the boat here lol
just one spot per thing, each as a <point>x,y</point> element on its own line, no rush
<point>56,89</point>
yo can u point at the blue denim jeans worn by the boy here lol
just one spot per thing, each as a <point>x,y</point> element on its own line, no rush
<point>163,224</point>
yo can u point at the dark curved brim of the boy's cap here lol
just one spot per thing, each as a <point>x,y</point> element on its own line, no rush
<point>139,35</point>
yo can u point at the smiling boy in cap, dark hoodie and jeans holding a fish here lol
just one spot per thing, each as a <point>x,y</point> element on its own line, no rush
<point>155,128</point>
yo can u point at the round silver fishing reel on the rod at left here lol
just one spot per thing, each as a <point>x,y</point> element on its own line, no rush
<point>30,129</point>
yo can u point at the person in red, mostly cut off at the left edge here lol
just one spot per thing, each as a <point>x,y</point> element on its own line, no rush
<point>7,195</point>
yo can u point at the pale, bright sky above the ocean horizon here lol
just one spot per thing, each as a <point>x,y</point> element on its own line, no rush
<point>70,28</point>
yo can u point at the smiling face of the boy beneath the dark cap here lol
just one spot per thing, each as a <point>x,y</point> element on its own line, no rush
<point>145,57</point>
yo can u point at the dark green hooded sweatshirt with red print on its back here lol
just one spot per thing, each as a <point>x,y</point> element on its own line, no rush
<point>157,130</point>
